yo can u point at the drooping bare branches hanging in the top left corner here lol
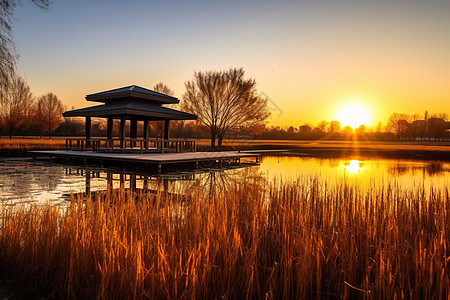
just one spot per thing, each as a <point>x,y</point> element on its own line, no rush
<point>8,54</point>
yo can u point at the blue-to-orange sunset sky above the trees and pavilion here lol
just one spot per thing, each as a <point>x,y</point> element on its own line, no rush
<point>310,58</point>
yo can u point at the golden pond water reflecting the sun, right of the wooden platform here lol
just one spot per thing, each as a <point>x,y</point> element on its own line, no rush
<point>365,172</point>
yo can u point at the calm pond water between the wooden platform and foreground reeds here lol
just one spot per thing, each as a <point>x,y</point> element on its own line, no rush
<point>29,181</point>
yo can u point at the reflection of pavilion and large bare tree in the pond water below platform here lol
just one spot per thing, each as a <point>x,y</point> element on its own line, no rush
<point>103,181</point>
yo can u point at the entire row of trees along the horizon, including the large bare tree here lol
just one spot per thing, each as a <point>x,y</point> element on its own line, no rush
<point>227,106</point>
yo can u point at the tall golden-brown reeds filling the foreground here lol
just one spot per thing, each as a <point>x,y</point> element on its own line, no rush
<point>307,239</point>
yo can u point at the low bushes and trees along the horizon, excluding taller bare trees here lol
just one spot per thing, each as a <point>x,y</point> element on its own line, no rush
<point>435,128</point>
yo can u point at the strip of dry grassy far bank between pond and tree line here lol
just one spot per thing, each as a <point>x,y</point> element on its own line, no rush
<point>420,150</point>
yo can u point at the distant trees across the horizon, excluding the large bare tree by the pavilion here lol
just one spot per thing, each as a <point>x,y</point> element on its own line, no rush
<point>22,113</point>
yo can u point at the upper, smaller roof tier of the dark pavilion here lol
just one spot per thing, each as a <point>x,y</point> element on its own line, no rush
<point>132,92</point>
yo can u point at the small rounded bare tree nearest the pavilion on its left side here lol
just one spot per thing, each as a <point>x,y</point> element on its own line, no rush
<point>49,112</point>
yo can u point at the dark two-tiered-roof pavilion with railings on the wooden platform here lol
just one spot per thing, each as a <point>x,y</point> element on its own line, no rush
<point>134,104</point>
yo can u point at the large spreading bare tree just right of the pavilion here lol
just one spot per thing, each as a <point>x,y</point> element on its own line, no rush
<point>224,101</point>
